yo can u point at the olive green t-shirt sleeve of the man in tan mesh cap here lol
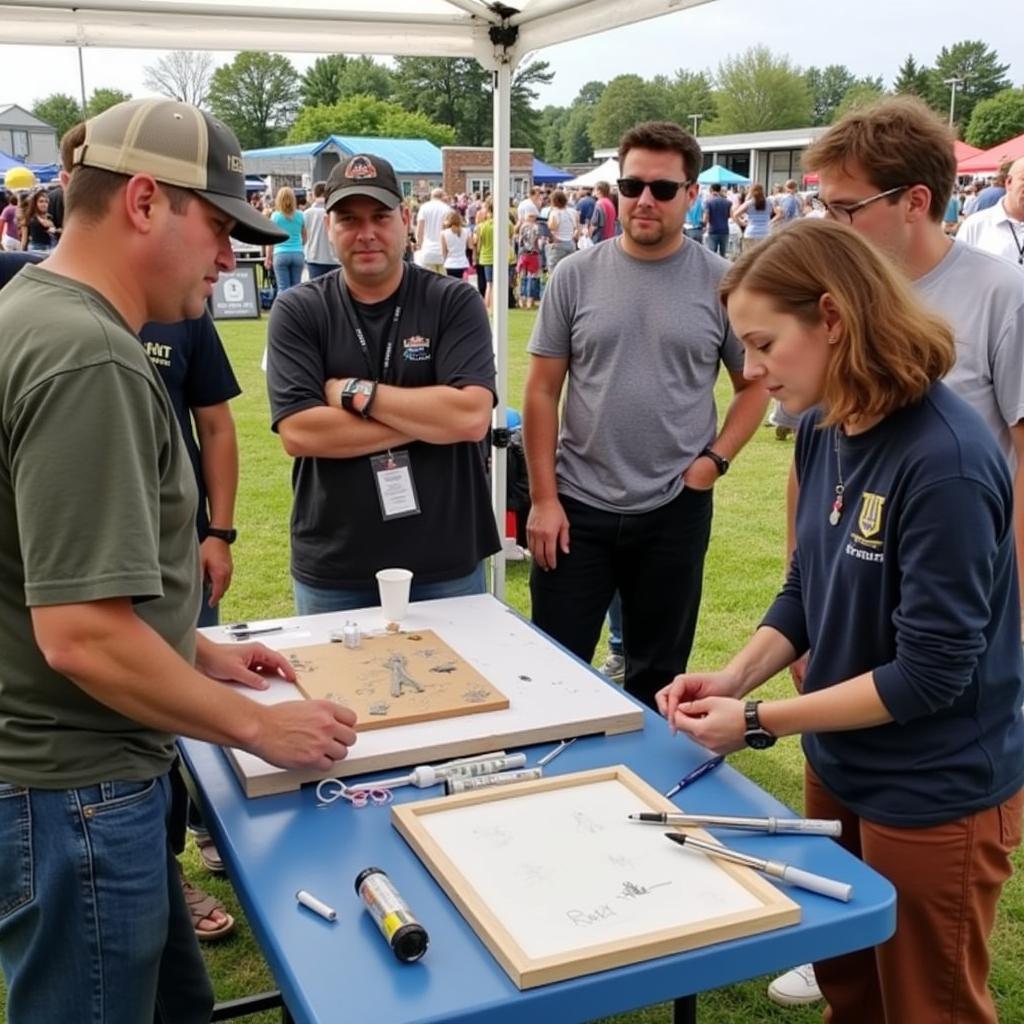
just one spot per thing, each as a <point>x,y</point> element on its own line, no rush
<point>96,436</point>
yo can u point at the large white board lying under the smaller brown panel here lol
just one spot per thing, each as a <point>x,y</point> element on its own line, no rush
<point>551,695</point>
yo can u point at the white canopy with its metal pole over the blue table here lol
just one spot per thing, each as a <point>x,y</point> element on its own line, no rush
<point>499,36</point>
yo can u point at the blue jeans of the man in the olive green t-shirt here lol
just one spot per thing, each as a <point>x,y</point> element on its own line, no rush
<point>94,925</point>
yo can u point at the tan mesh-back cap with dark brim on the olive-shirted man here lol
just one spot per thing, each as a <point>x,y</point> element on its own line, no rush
<point>179,145</point>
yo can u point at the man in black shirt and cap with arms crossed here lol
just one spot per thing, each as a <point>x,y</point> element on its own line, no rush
<point>381,381</point>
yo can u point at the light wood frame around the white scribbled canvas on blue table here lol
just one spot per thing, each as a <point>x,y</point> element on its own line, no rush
<point>775,911</point>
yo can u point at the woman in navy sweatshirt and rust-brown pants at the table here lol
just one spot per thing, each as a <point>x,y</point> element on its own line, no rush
<point>904,589</point>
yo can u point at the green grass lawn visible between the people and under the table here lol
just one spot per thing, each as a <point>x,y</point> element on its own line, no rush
<point>744,571</point>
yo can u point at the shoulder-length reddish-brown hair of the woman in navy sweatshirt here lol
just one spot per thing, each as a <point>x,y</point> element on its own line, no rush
<point>891,350</point>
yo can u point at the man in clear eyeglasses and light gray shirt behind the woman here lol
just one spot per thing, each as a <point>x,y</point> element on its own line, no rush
<point>888,172</point>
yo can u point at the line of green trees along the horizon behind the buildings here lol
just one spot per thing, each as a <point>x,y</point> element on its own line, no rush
<point>267,102</point>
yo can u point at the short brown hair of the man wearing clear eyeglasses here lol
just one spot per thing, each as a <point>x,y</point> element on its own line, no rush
<point>898,142</point>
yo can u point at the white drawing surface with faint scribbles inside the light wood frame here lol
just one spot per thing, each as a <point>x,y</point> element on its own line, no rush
<point>565,871</point>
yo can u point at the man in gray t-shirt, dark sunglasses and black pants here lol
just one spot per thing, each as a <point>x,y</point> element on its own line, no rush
<point>621,488</point>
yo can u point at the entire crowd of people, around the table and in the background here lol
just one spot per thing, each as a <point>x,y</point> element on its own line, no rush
<point>898,351</point>
